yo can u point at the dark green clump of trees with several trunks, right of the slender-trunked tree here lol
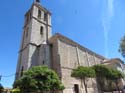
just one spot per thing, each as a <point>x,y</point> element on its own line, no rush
<point>110,75</point>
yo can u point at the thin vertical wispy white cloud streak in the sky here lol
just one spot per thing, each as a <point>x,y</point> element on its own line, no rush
<point>106,22</point>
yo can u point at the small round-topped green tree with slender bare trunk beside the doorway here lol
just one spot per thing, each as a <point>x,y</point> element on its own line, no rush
<point>83,73</point>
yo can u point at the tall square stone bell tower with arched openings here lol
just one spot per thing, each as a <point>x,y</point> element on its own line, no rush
<point>36,32</point>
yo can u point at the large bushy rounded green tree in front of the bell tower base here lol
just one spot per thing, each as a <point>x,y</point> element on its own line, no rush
<point>39,79</point>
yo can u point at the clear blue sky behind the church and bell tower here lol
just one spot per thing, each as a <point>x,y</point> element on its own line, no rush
<point>95,24</point>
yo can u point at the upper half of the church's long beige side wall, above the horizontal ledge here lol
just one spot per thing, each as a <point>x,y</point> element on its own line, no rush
<point>72,56</point>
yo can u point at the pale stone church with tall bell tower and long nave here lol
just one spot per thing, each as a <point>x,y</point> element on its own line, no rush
<point>40,47</point>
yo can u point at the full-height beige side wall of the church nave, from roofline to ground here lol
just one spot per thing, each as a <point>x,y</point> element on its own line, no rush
<point>72,56</point>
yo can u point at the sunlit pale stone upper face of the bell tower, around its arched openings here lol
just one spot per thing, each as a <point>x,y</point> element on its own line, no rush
<point>36,37</point>
